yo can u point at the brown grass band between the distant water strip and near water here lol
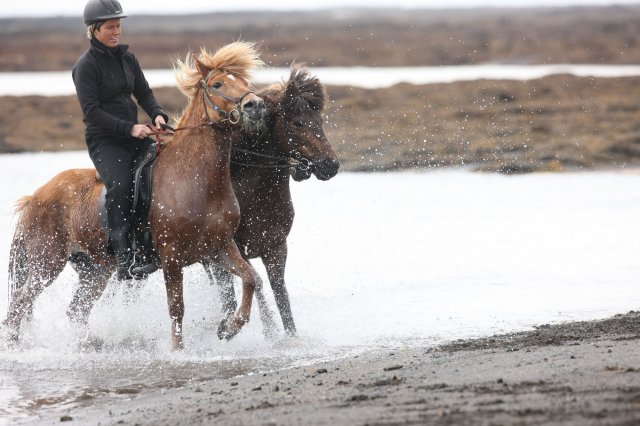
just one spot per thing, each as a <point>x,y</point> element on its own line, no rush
<point>552,124</point>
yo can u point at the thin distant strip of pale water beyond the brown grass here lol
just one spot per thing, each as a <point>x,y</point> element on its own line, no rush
<point>60,83</point>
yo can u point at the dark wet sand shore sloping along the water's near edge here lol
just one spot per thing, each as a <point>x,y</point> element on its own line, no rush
<point>579,373</point>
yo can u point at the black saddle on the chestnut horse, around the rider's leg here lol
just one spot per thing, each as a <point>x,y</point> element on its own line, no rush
<point>141,236</point>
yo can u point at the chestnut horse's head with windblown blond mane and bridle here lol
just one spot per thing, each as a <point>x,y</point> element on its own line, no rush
<point>220,80</point>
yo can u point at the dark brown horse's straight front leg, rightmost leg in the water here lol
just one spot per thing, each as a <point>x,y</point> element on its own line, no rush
<point>275,262</point>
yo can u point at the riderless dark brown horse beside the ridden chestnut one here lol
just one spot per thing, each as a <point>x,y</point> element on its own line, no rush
<point>292,143</point>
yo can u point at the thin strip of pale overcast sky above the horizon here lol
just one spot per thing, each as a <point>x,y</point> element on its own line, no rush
<point>10,8</point>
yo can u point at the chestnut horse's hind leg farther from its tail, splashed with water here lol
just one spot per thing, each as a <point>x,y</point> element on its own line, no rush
<point>93,281</point>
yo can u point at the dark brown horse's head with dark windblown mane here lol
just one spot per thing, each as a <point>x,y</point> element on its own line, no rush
<point>296,110</point>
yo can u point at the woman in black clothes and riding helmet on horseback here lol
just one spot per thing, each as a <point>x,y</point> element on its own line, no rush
<point>105,76</point>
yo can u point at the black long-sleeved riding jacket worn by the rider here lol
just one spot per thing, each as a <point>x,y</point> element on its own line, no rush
<point>105,78</point>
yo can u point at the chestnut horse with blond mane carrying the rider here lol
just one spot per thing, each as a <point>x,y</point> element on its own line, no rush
<point>193,212</point>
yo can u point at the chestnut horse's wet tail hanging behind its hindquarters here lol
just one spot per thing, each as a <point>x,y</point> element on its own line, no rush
<point>18,263</point>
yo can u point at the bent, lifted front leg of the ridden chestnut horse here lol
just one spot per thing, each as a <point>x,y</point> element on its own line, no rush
<point>233,262</point>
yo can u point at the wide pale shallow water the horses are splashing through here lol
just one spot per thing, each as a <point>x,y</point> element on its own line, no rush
<point>376,260</point>
